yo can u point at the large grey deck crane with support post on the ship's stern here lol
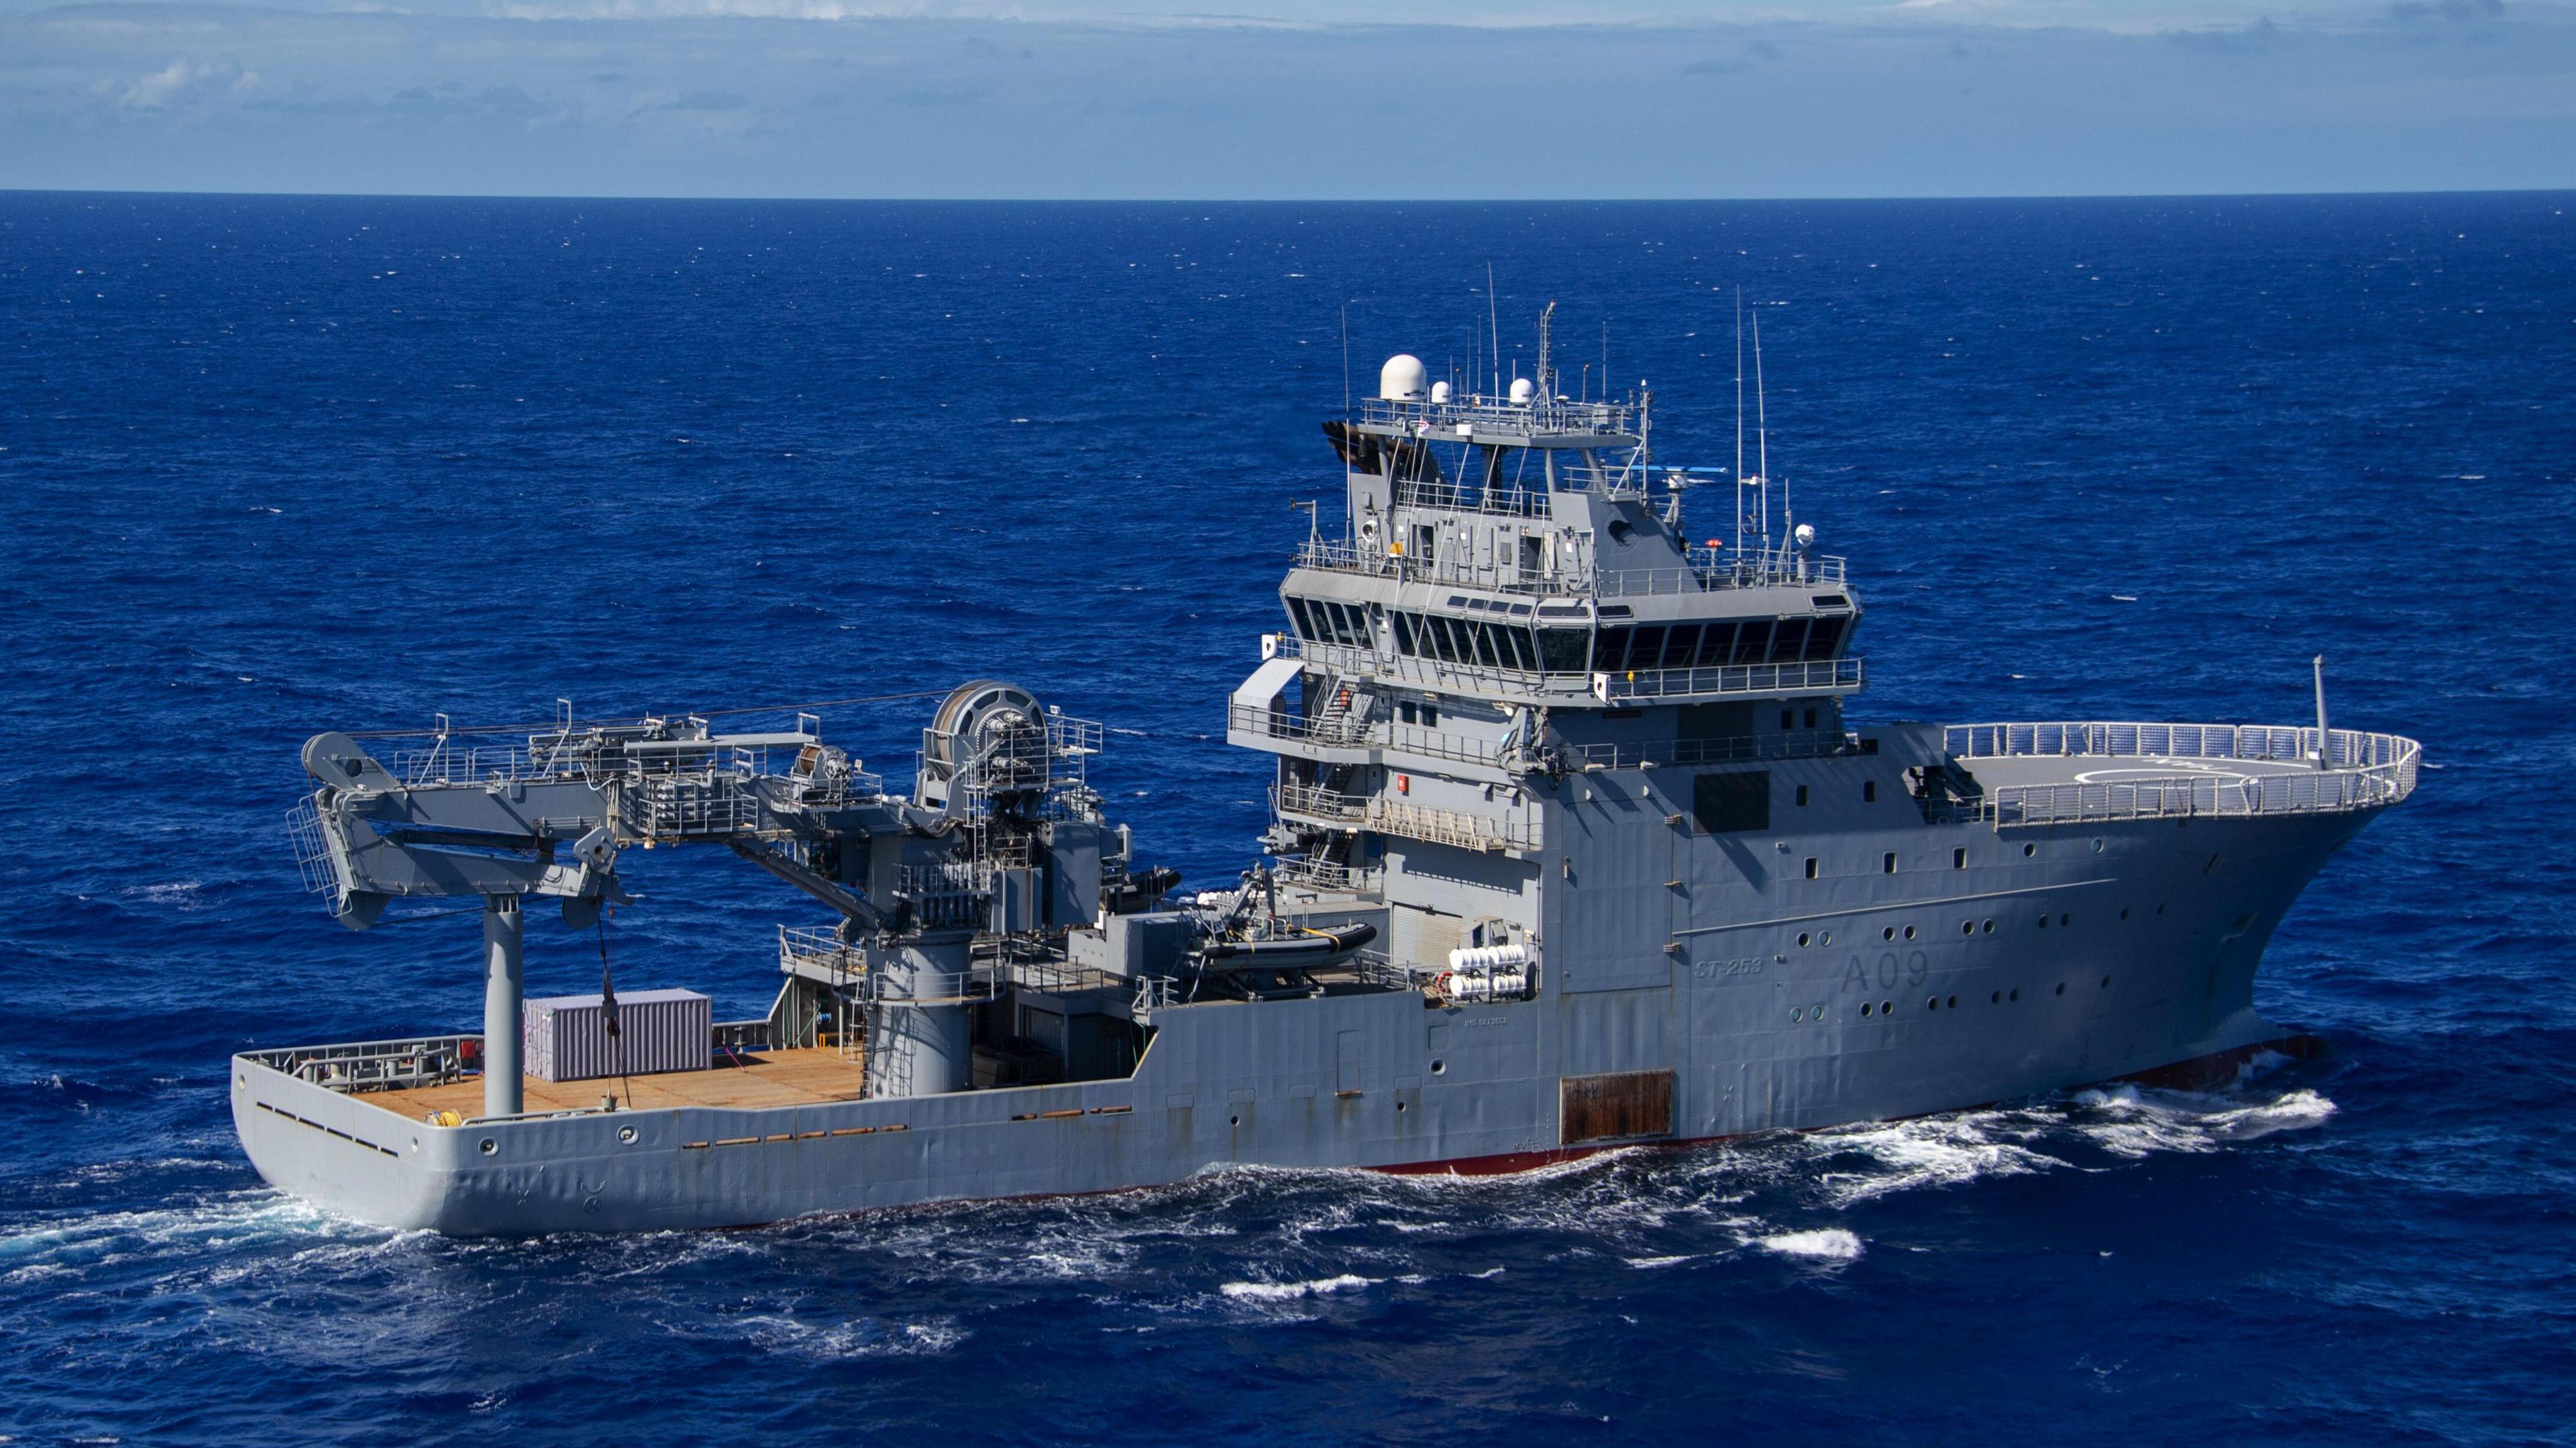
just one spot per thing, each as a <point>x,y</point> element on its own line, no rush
<point>998,836</point>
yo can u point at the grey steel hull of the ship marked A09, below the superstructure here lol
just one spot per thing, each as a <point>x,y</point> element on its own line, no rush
<point>1756,1032</point>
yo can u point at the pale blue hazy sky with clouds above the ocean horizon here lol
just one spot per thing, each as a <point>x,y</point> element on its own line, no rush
<point>1142,99</point>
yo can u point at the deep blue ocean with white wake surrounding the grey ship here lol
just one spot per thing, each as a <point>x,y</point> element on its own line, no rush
<point>292,465</point>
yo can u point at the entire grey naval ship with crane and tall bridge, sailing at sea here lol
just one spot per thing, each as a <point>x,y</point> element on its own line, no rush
<point>1575,849</point>
